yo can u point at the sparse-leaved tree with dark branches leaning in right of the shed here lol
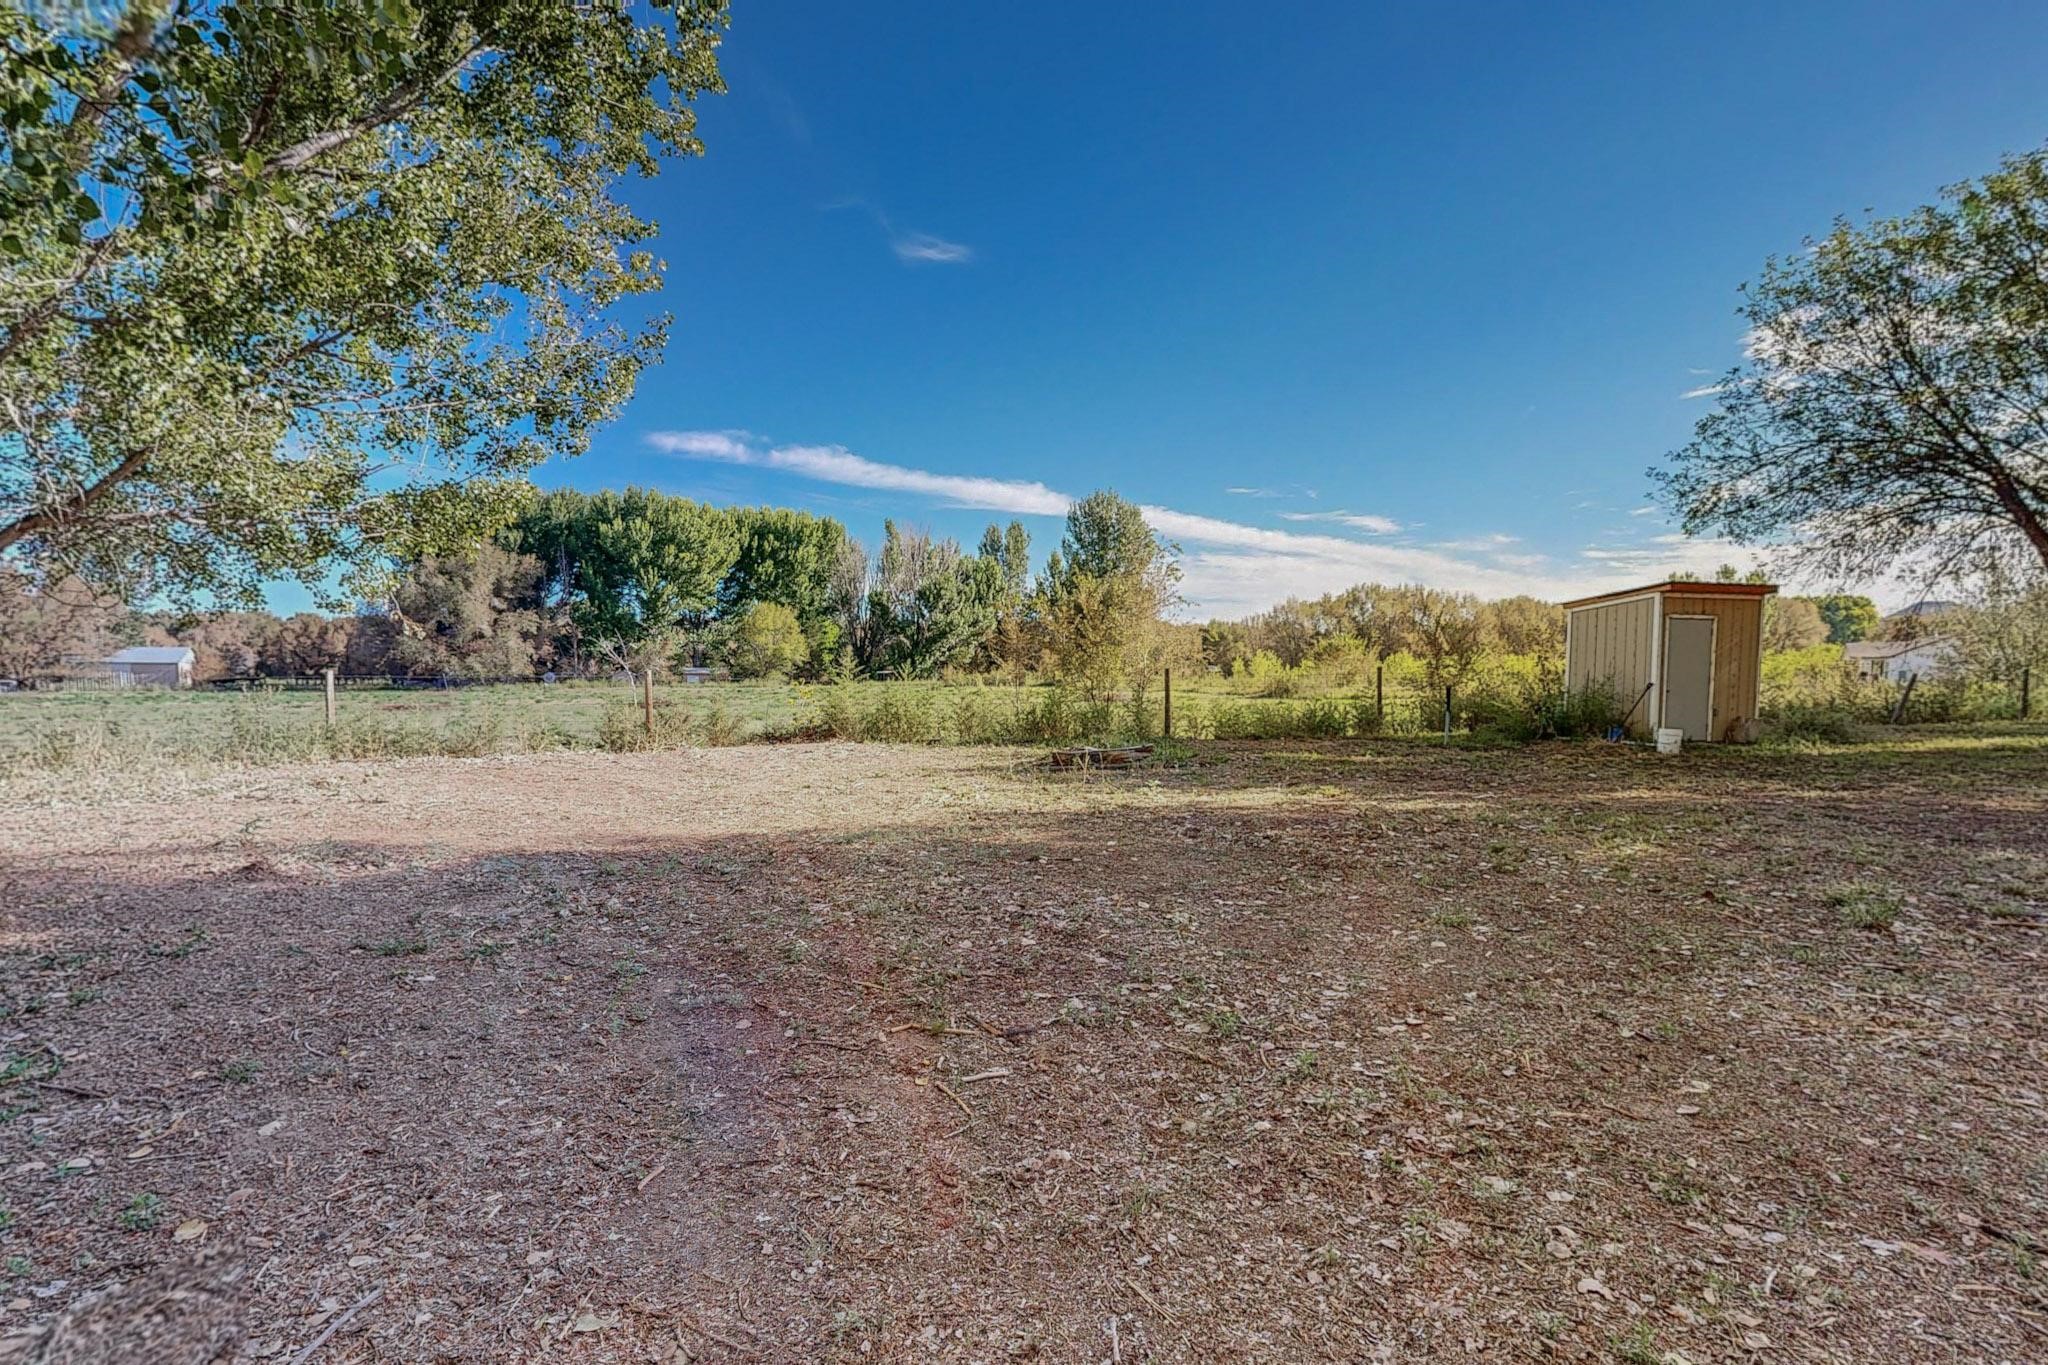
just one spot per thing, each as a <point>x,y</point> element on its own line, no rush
<point>1893,408</point>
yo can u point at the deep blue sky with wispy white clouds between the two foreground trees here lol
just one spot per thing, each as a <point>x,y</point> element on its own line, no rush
<point>1345,292</point>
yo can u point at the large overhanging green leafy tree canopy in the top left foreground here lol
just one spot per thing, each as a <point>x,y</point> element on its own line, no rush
<point>290,285</point>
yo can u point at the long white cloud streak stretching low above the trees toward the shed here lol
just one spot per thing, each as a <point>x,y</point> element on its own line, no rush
<point>1234,568</point>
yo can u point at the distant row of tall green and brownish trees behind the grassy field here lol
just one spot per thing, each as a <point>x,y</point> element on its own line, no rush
<point>587,584</point>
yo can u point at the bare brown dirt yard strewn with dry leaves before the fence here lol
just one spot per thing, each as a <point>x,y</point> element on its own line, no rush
<point>828,1053</point>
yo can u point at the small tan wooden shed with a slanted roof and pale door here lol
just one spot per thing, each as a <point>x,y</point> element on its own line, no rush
<point>1678,656</point>
